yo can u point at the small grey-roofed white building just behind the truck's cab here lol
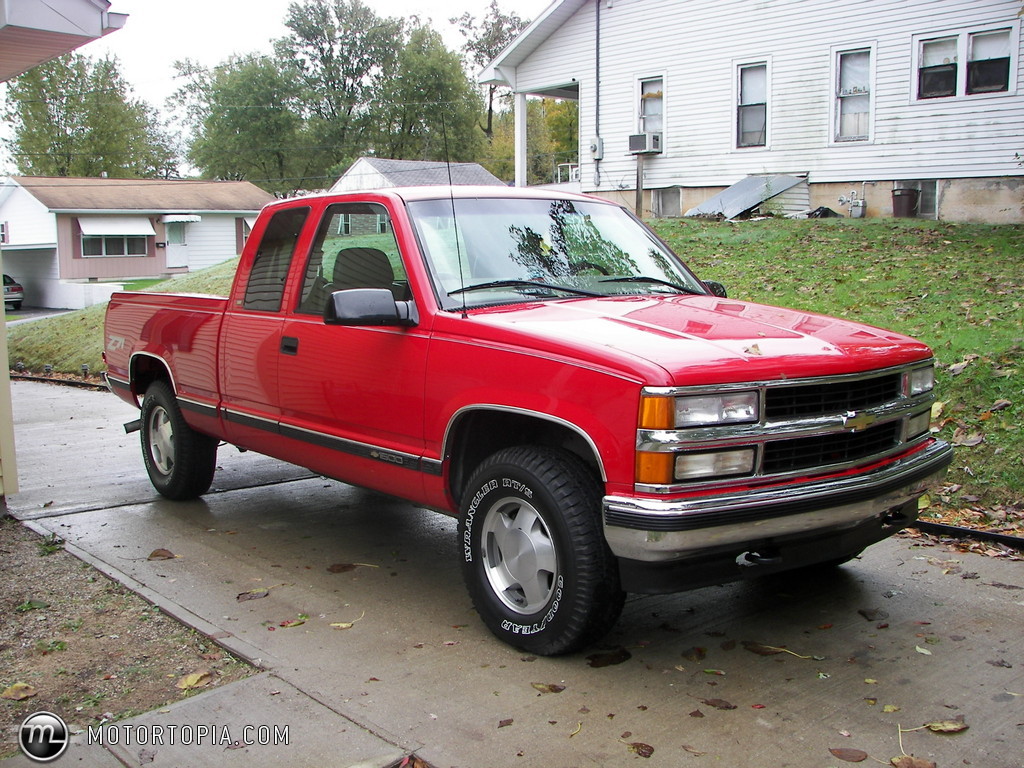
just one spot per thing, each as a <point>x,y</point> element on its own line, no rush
<point>380,174</point>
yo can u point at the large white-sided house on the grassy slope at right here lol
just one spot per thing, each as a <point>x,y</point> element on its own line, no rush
<point>861,100</point>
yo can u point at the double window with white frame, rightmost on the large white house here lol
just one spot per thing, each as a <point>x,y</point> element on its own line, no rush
<point>990,58</point>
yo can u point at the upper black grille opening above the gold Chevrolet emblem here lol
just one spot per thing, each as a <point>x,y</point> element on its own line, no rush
<point>835,398</point>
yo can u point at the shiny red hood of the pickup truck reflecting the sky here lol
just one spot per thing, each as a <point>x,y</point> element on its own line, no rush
<point>679,340</point>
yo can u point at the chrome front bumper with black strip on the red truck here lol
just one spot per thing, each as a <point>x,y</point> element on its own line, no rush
<point>666,530</point>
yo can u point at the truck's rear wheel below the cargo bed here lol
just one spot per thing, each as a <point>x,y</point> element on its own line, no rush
<point>180,460</point>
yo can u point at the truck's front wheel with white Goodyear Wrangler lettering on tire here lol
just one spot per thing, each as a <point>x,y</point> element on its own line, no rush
<point>536,563</point>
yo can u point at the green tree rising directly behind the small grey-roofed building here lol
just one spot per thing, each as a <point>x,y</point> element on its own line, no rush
<point>429,110</point>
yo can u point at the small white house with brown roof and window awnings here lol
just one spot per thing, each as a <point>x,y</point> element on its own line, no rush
<point>70,241</point>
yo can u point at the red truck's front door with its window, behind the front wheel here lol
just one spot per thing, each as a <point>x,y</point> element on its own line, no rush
<point>354,396</point>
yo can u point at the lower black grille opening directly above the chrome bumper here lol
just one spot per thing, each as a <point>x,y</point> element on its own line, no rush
<point>824,451</point>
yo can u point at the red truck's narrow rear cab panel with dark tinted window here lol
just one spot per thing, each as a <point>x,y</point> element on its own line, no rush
<point>250,346</point>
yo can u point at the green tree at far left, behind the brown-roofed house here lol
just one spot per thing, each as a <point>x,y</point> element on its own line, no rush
<point>73,117</point>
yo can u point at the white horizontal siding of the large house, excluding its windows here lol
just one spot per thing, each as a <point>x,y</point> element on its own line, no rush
<point>697,47</point>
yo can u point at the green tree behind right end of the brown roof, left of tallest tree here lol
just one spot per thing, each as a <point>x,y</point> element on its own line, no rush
<point>246,123</point>
